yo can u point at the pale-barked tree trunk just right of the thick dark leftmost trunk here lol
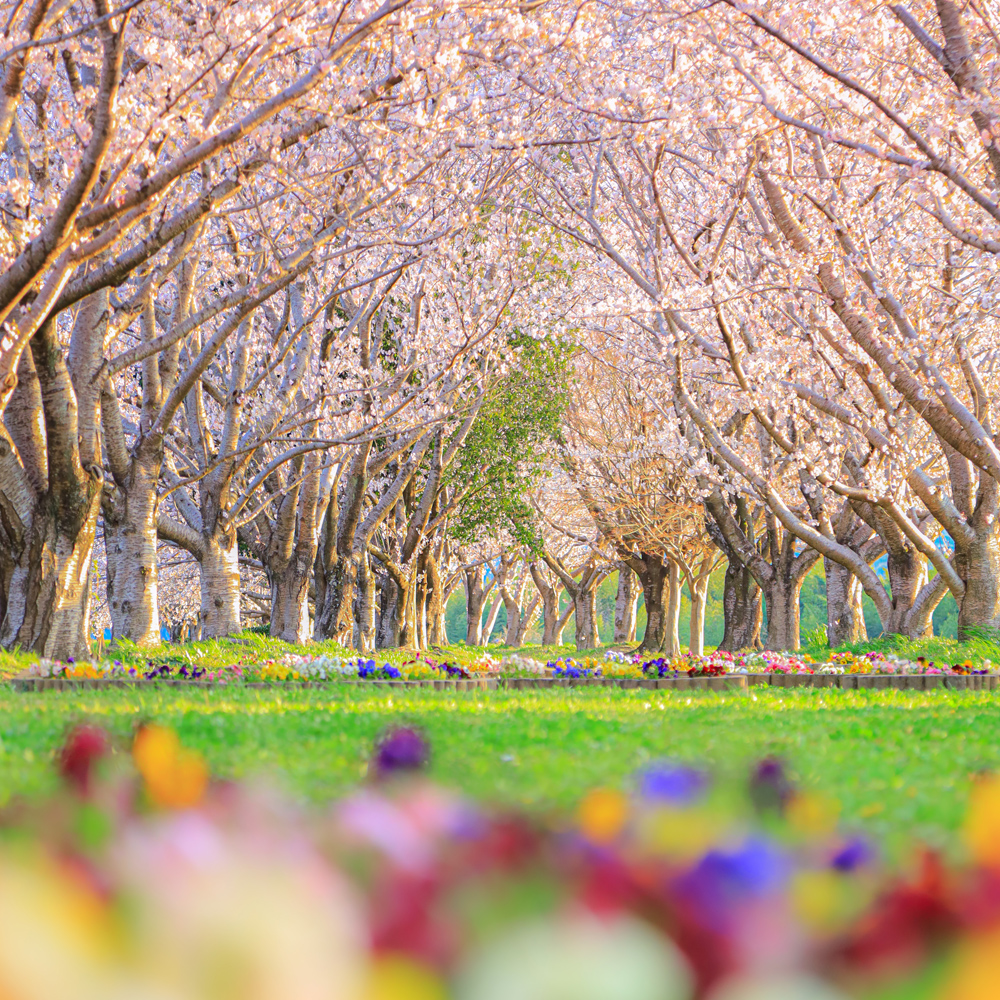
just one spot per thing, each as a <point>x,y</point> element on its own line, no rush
<point>130,545</point>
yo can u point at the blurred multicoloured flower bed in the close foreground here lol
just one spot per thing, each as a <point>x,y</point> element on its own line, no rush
<point>142,877</point>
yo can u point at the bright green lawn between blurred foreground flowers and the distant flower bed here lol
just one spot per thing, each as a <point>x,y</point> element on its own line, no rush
<point>898,762</point>
